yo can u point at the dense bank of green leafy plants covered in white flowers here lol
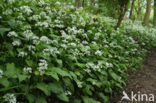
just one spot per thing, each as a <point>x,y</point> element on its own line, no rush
<point>54,53</point>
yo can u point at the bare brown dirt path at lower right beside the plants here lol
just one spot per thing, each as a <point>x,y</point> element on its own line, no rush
<point>141,82</point>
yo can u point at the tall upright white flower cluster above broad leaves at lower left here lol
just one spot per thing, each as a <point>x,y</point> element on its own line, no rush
<point>42,66</point>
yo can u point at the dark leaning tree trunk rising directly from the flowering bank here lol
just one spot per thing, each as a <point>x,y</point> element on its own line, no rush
<point>123,9</point>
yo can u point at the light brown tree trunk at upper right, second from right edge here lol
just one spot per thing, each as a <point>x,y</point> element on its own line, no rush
<point>148,11</point>
